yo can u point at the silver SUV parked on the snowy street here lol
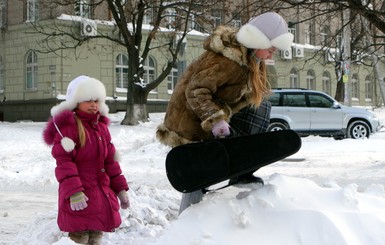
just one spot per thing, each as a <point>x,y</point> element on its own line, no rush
<point>310,112</point>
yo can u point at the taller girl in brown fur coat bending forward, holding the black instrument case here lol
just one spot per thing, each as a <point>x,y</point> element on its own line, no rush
<point>227,79</point>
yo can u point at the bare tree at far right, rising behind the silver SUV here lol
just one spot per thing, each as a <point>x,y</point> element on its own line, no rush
<point>371,12</point>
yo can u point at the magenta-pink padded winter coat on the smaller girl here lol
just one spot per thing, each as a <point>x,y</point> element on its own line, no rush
<point>91,169</point>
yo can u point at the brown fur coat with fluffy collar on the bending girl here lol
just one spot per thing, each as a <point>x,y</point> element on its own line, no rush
<point>213,87</point>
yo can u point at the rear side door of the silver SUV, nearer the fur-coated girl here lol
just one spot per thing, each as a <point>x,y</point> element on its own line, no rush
<point>294,107</point>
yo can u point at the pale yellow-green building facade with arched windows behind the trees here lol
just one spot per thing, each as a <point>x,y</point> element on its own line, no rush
<point>31,81</point>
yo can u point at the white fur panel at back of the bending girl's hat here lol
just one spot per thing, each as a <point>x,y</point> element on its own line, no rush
<point>251,37</point>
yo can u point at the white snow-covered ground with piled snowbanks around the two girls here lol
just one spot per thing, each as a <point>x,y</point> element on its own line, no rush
<point>334,196</point>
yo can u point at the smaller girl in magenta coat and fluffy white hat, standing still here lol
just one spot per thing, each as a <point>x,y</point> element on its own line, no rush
<point>89,175</point>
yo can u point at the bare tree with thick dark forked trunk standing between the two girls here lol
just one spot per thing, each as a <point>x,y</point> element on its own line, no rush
<point>128,17</point>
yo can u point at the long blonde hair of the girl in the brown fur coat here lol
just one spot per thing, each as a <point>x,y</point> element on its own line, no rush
<point>258,78</point>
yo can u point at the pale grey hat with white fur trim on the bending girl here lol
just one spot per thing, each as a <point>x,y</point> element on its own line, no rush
<point>265,31</point>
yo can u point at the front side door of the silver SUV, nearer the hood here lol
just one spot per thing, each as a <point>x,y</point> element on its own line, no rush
<point>323,116</point>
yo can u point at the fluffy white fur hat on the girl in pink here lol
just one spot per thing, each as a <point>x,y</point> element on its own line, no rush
<point>83,88</point>
